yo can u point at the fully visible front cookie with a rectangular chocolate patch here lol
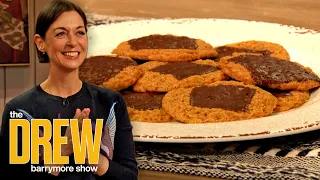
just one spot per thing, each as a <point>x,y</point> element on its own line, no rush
<point>218,102</point>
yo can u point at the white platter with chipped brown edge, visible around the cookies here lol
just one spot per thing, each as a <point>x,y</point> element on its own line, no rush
<point>302,44</point>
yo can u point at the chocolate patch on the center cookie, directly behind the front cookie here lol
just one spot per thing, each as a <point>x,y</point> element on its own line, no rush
<point>181,70</point>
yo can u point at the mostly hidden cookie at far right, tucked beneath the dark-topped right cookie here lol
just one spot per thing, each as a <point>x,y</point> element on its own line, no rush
<point>289,99</point>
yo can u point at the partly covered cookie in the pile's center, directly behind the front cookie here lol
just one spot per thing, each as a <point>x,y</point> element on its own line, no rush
<point>165,76</point>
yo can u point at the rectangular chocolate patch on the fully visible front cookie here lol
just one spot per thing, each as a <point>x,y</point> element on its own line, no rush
<point>227,97</point>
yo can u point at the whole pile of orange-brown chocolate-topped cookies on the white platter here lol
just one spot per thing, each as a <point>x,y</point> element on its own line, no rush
<point>165,78</point>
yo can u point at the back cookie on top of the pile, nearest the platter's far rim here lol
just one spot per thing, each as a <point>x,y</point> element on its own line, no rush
<point>167,48</point>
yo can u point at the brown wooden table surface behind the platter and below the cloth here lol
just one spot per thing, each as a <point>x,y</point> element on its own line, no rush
<point>301,13</point>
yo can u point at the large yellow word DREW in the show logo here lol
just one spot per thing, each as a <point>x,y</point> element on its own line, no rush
<point>52,155</point>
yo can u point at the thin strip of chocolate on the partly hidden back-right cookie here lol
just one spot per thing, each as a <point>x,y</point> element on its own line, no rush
<point>228,51</point>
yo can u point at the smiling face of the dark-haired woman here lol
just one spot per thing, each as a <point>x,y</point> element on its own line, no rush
<point>66,41</point>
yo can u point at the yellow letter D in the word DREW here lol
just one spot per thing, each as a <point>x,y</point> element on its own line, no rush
<point>13,141</point>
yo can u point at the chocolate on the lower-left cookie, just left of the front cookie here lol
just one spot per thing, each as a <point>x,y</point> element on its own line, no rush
<point>143,101</point>
